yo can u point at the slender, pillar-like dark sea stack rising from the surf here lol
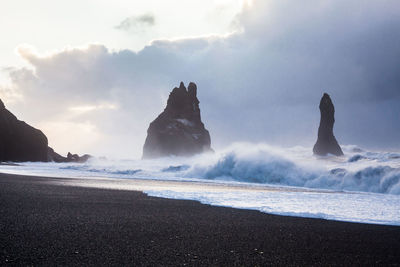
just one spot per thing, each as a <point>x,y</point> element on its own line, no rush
<point>326,143</point>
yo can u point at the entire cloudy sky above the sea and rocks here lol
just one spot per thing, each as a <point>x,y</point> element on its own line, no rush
<point>92,74</point>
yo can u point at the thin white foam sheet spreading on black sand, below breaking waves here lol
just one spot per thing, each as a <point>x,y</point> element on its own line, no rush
<point>364,207</point>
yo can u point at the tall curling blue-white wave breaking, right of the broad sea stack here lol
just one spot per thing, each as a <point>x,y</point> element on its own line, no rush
<point>263,164</point>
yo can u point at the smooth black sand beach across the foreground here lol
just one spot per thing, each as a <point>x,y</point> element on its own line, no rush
<point>48,224</point>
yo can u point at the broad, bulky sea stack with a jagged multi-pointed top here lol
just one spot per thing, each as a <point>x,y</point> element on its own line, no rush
<point>178,130</point>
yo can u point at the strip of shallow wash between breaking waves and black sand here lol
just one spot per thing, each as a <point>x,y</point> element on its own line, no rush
<point>213,193</point>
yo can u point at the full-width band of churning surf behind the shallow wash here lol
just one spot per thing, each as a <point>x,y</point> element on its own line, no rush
<point>358,170</point>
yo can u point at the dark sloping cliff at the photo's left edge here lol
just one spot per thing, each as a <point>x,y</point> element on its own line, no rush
<point>20,141</point>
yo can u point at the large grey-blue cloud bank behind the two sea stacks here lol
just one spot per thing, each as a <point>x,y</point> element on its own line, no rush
<point>262,83</point>
